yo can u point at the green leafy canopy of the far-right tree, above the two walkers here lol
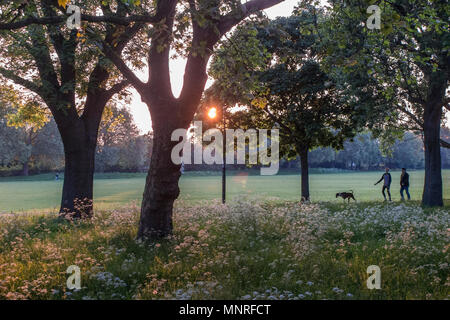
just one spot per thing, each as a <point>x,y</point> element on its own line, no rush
<point>404,60</point>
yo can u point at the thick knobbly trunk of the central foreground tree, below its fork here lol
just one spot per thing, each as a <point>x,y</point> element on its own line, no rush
<point>161,187</point>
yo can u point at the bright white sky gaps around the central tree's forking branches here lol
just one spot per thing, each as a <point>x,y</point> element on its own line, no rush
<point>139,109</point>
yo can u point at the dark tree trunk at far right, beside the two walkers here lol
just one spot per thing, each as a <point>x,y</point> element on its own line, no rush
<point>432,191</point>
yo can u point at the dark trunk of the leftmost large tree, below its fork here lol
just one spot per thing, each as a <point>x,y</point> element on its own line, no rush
<point>77,195</point>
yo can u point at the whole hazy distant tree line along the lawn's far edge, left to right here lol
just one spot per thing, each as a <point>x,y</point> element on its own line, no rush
<point>121,148</point>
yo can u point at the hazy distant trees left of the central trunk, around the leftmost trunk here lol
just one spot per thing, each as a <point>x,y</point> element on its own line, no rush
<point>120,147</point>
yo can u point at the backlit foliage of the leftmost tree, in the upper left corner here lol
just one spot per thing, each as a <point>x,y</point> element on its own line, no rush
<point>39,53</point>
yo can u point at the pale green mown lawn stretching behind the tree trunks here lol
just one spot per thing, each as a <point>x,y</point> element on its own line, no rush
<point>43,192</point>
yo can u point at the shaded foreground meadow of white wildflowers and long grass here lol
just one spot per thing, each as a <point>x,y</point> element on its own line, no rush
<point>265,249</point>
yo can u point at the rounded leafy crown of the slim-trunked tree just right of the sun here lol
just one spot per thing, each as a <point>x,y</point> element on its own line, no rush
<point>275,70</point>
